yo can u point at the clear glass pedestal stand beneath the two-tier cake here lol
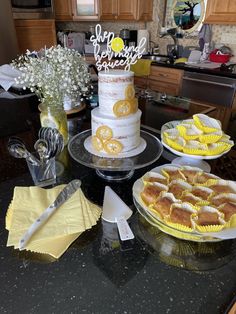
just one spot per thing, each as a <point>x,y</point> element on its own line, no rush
<point>115,169</point>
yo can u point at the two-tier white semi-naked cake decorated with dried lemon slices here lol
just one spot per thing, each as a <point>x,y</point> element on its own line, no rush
<point>116,122</point>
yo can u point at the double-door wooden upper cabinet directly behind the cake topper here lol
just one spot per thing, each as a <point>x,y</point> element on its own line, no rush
<point>118,10</point>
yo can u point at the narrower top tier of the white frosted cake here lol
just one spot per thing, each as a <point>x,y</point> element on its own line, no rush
<point>112,87</point>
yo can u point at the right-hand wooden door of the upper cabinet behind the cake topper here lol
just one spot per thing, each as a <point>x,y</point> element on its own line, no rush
<point>127,10</point>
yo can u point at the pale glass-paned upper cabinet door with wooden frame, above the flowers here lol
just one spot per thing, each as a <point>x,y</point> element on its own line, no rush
<point>85,10</point>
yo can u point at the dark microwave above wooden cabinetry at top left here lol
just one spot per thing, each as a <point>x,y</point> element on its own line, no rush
<point>32,9</point>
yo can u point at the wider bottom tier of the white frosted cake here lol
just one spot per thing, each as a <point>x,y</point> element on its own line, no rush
<point>125,130</point>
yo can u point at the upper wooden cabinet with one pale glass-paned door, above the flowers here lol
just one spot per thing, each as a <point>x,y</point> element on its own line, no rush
<point>76,10</point>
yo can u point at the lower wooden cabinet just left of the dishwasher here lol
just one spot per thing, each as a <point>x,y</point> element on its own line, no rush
<point>165,80</point>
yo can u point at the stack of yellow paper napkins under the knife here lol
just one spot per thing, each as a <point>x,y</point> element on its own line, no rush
<point>72,218</point>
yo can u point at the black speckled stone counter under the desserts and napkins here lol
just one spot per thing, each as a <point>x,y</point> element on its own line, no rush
<point>155,273</point>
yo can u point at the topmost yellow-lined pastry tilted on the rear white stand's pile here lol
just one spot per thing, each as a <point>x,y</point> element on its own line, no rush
<point>206,124</point>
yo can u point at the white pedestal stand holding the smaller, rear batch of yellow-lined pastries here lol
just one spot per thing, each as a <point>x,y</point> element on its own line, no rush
<point>186,159</point>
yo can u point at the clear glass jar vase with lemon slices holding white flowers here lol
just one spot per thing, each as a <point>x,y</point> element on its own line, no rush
<point>54,117</point>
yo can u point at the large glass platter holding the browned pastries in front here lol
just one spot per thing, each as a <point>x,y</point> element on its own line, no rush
<point>154,220</point>
